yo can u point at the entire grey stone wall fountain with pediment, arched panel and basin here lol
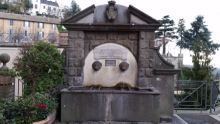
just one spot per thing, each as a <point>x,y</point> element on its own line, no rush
<point>114,72</point>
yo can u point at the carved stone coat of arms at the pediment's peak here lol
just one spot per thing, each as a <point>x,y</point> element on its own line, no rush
<point>111,10</point>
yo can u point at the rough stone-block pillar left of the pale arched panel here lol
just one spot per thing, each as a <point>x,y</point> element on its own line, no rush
<point>75,55</point>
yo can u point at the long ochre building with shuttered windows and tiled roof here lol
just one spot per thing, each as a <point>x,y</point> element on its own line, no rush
<point>17,28</point>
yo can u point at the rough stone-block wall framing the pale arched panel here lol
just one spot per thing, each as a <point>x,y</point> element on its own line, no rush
<point>141,45</point>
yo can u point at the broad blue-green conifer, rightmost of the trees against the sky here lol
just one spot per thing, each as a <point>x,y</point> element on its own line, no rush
<point>198,30</point>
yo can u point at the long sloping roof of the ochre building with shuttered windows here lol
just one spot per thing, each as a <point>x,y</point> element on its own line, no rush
<point>22,17</point>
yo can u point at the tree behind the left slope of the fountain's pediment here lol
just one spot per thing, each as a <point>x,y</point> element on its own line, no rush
<point>73,9</point>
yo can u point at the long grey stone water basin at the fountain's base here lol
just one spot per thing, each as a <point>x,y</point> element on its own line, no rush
<point>109,105</point>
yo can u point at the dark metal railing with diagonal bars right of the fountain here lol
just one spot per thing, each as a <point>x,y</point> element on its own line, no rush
<point>196,95</point>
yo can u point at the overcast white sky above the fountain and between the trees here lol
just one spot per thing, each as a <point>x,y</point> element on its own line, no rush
<point>176,9</point>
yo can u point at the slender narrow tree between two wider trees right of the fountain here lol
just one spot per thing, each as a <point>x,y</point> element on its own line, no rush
<point>180,31</point>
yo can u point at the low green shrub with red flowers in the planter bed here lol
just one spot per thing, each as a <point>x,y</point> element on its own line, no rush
<point>22,111</point>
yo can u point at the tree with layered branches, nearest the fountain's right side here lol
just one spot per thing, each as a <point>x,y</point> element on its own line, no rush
<point>165,33</point>
